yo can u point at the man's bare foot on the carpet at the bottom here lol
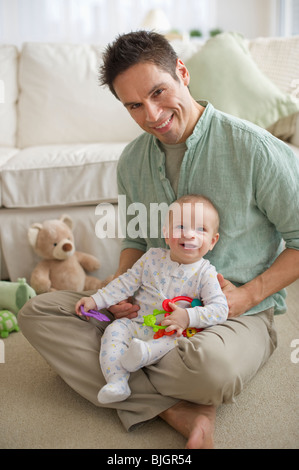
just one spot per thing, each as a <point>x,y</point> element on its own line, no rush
<point>195,422</point>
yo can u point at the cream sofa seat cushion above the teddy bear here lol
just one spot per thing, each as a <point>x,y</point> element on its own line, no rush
<point>59,175</point>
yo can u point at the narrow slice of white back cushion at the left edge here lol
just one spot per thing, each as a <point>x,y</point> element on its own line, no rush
<point>8,95</point>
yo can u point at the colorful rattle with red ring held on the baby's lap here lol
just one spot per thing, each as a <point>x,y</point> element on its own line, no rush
<point>159,330</point>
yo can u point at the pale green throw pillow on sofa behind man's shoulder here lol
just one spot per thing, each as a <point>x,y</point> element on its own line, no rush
<point>224,73</point>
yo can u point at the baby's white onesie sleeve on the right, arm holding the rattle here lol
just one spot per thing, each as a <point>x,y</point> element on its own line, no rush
<point>215,309</point>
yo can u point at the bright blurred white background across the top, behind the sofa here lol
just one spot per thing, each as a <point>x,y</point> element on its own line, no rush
<point>99,21</point>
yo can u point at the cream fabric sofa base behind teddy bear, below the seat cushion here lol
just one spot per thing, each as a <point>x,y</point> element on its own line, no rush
<point>84,219</point>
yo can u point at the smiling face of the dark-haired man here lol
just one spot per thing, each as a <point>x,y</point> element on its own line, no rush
<point>160,105</point>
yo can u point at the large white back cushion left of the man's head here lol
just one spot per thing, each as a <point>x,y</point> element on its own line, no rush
<point>61,101</point>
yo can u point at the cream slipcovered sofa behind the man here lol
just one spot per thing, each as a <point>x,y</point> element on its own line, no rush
<point>61,136</point>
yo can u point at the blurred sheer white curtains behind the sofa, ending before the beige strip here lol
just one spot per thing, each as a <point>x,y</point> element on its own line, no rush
<point>94,21</point>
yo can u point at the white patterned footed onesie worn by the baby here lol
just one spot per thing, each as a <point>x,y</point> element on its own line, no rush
<point>128,345</point>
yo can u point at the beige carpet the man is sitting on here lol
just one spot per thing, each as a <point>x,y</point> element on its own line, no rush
<point>39,411</point>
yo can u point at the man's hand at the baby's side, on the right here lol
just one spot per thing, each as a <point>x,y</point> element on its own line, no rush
<point>238,299</point>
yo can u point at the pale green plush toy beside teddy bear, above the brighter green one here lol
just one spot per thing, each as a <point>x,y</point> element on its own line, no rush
<point>13,295</point>
